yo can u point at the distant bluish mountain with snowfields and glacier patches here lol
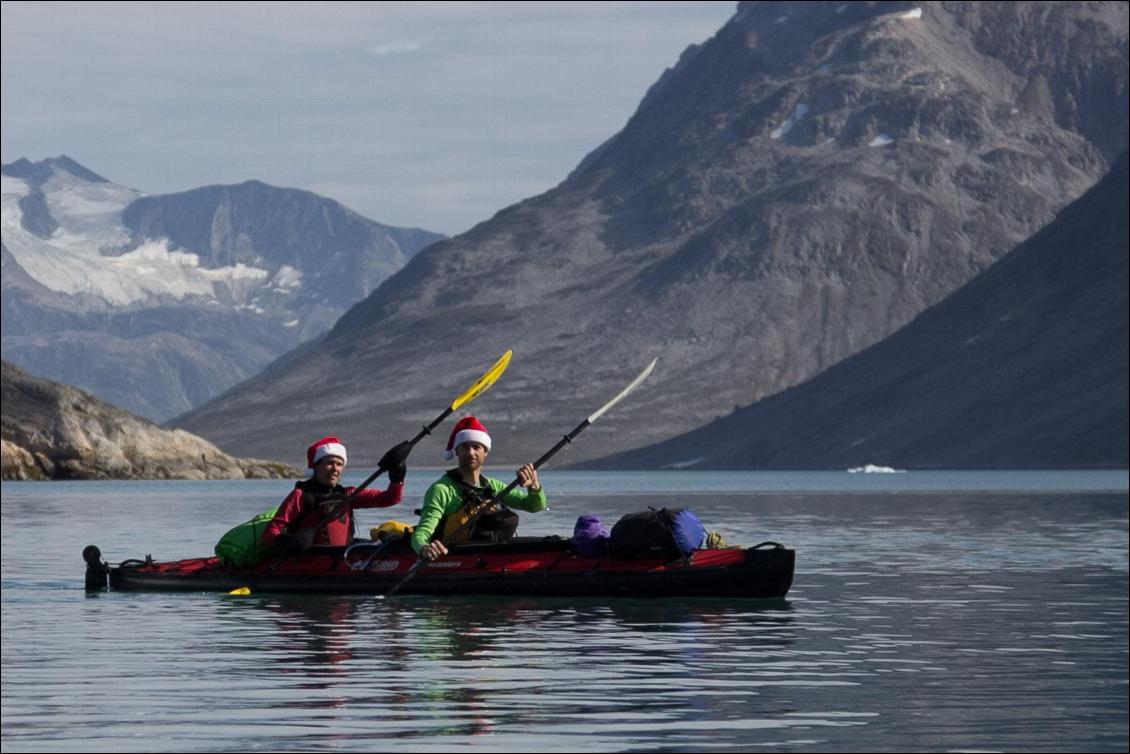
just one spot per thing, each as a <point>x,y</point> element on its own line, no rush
<point>160,304</point>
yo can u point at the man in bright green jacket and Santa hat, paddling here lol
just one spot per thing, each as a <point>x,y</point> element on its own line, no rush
<point>447,501</point>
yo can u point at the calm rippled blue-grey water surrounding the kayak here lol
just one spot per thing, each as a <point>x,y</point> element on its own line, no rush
<point>929,612</point>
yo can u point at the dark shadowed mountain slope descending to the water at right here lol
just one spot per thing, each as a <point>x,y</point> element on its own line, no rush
<point>1027,367</point>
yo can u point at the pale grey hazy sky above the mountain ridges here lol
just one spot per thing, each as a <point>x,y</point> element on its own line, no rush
<point>428,115</point>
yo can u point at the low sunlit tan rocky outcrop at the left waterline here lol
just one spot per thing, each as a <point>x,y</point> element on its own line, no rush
<point>53,431</point>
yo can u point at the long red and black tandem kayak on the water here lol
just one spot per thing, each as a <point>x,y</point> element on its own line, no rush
<point>527,566</point>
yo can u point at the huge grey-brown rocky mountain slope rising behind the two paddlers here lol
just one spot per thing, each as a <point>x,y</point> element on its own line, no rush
<point>793,192</point>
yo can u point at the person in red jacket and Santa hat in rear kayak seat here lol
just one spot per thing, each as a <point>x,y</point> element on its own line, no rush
<point>299,523</point>
